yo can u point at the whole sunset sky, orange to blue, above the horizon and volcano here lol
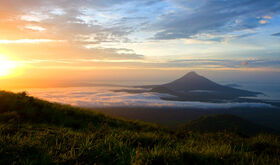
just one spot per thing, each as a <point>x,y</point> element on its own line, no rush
<point>46,42</point>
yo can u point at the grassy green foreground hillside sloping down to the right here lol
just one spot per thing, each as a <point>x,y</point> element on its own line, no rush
<point>33,131</point>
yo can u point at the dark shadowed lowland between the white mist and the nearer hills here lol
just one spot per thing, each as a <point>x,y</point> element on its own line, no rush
<point>174,117</point>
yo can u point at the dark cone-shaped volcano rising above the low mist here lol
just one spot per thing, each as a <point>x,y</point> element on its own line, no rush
<point>195,87</point>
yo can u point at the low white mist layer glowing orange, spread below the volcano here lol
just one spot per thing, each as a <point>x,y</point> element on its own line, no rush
<point>98,97</point>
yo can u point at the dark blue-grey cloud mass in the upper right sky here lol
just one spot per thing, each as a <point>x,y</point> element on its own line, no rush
<point>216,17</point>
